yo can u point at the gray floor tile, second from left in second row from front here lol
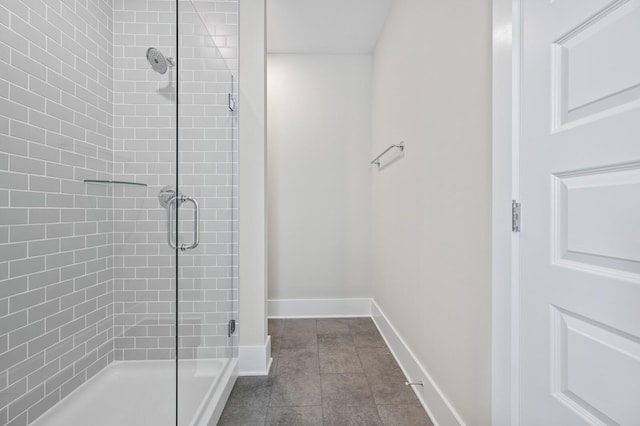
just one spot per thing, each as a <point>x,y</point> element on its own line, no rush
<point>290,390</point>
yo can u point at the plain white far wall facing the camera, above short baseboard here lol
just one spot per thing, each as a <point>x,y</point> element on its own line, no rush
<point>318,179</point>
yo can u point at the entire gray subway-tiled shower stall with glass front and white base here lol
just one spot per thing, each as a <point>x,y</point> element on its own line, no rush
<point>118,211</point>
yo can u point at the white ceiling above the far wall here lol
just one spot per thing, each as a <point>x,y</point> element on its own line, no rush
<point>324,26</point>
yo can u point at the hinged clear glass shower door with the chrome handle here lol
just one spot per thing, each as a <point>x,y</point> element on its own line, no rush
<point>205,221</point>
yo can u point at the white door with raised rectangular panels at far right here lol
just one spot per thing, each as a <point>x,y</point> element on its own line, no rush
<point>580,192</point>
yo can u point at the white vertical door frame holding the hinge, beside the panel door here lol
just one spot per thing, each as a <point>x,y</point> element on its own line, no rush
<point>506,61</point>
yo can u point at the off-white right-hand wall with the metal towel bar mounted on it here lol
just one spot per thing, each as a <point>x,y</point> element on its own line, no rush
<point>432,209</point>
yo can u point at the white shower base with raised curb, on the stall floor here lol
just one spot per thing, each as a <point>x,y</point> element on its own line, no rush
<point>137,393</point>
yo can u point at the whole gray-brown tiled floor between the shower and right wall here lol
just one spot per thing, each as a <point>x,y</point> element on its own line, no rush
<point>326,372</point>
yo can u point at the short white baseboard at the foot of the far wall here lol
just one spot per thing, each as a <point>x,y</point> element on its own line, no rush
<point>319,308</point>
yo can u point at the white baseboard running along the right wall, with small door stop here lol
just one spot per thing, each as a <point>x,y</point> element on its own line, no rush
<point>437,406</point>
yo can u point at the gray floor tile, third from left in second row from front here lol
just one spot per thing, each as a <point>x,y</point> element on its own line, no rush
<point>345,389</point>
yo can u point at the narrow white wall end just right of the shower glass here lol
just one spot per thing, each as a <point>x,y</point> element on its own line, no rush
<point>252,138</point>
